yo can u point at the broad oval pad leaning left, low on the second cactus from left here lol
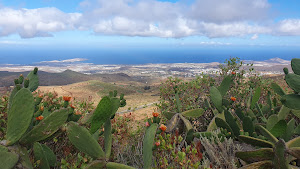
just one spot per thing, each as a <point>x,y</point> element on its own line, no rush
<point>84,141</point>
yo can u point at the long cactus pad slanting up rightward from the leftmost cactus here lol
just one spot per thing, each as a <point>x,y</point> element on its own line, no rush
<point>46,127</point>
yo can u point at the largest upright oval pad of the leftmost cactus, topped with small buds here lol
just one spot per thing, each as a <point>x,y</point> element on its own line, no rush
<point>19,115</point>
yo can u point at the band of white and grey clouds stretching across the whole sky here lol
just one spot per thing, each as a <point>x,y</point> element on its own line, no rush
<point>210,18</point>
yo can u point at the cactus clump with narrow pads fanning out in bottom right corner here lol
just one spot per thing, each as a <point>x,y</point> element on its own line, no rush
<point>275,153</point>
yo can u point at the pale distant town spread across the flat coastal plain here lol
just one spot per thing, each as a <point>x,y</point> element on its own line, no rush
<point>272,66</point>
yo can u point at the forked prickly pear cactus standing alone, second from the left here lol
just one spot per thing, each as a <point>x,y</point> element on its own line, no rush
<point>86,141</point>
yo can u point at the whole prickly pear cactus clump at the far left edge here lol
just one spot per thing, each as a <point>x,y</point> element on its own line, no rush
<point>21,134</point>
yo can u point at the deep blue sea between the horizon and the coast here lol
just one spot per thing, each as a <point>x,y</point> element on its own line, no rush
<point>144,56</point>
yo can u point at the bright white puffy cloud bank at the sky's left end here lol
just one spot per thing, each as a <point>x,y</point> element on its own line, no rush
<point>30,23</point>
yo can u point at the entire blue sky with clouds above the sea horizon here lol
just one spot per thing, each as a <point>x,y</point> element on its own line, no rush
<point>73,24</point>
